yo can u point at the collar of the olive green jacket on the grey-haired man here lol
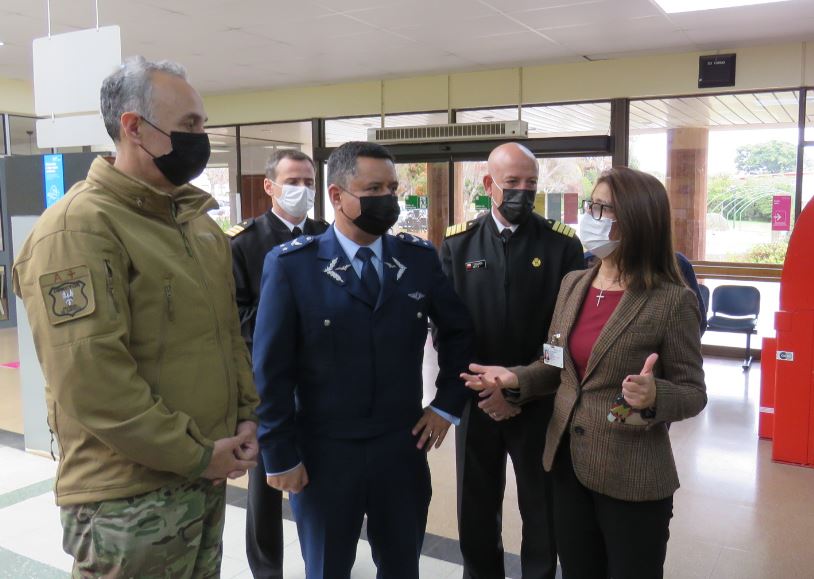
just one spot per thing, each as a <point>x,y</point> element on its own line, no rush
<point>184,204</point>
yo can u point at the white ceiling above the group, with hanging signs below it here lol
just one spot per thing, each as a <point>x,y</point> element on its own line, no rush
<point>248,44</point>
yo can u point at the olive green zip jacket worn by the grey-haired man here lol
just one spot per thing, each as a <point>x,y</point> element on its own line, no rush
<point>130,297</point>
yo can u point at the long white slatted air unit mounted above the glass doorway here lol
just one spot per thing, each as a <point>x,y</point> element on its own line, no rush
<point>454,132</point>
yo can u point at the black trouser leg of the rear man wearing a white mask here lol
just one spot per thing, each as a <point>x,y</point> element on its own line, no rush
<point>264,526</point>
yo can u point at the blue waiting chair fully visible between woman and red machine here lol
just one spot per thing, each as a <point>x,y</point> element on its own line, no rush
<point>735,309</point>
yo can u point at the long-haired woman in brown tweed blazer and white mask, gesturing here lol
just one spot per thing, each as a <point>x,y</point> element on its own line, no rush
<point>626,328</point>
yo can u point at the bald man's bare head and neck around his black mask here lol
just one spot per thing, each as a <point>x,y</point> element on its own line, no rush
<point>510,166</point>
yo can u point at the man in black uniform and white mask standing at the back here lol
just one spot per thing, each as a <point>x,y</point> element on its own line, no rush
<point>290,184</point>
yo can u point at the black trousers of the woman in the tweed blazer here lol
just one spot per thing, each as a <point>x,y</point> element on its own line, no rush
<point>599,537</point>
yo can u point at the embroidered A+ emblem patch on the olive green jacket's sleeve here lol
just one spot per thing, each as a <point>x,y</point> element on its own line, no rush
<point>68,294</point>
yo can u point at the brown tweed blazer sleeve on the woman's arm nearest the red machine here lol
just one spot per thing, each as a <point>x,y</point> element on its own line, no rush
<point>680,388</point>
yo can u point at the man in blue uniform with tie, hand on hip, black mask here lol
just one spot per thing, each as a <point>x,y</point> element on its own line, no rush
<point>338,353</point>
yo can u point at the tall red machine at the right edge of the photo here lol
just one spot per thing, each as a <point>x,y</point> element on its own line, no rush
<point>794,355</point>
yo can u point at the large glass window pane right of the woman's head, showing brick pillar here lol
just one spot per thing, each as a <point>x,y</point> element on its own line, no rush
<point>739,152</point>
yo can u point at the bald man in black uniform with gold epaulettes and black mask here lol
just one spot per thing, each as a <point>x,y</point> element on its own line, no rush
<point>507,266</point>
